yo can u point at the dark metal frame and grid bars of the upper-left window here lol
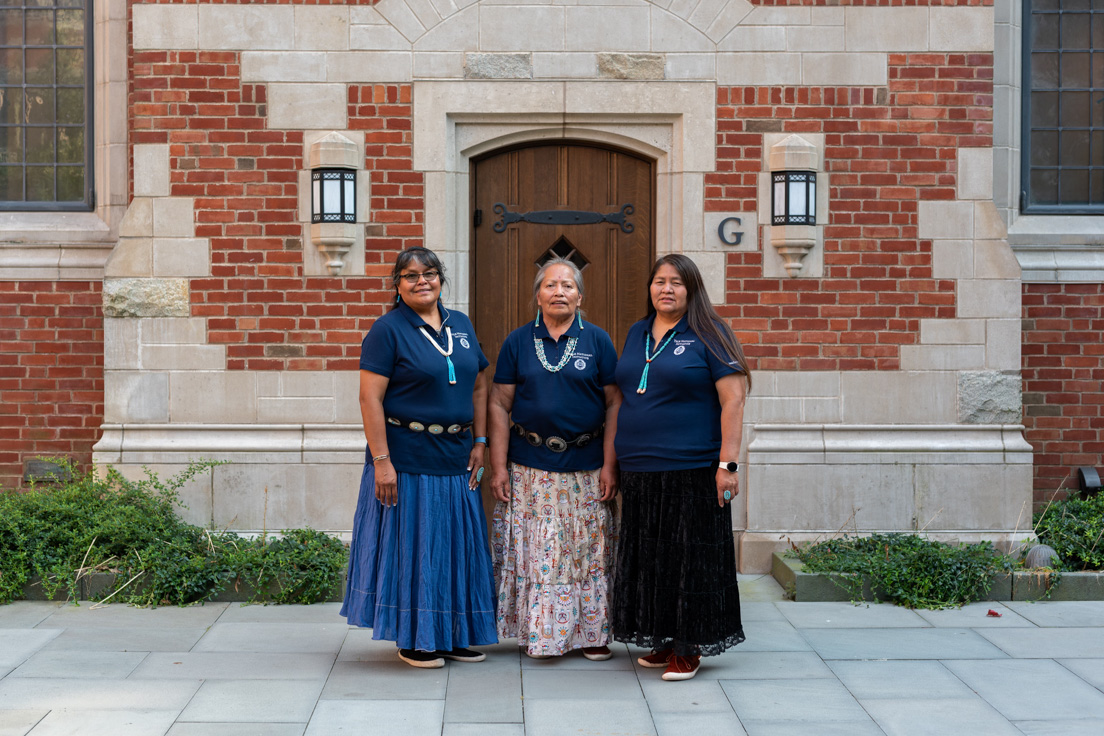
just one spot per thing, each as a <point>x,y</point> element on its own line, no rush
<point>88,204</point>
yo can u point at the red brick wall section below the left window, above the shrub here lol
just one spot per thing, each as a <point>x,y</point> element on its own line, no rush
<point>51,374</point>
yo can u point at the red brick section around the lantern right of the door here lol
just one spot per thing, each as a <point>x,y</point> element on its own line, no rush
<point>887,150</point>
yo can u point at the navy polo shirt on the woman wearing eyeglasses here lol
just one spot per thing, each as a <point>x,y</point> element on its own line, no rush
<point>419,389</point>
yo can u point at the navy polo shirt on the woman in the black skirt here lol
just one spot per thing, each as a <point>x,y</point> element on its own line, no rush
<point>676,424</point>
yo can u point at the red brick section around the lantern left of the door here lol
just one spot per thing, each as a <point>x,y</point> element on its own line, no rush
<point>245,180</point>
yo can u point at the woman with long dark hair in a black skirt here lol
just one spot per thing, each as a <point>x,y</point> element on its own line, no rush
<point>685,378</point>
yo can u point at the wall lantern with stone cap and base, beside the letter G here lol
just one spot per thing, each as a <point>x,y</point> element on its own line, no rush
<point>794,163</point>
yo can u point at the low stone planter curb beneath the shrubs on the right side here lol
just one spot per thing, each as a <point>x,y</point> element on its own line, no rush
<point>808,588</point>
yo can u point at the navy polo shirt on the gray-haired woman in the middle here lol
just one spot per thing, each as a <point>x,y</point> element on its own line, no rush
<point>565,404</point>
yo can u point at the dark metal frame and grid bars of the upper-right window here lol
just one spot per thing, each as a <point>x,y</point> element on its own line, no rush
<point>1027,204</point>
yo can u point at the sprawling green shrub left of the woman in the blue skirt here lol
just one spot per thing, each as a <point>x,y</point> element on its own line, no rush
<point>61,532</point>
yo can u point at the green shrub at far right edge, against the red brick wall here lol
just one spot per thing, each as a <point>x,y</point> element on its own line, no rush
<point>1076,529</point>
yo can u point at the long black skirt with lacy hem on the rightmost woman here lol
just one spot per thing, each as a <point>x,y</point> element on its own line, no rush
<point>675,584</point>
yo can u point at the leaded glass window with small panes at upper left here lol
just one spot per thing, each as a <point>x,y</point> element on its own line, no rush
<point>46,105</point>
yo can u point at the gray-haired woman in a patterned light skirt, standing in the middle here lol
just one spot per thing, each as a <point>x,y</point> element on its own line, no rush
<point>551,418</point>
